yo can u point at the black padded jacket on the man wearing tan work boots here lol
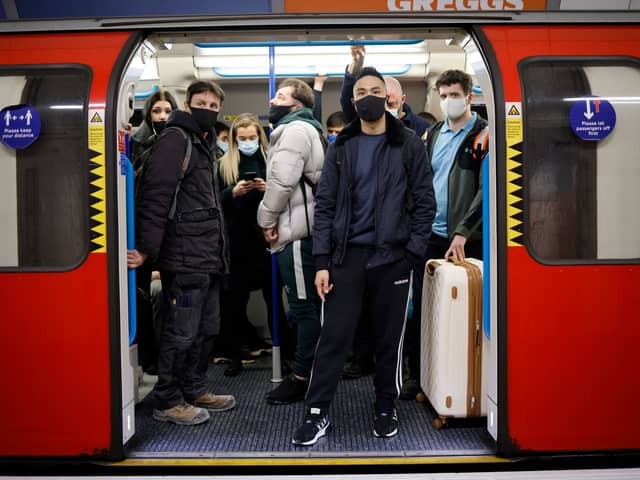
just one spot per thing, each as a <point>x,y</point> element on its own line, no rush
<point>194,241</point>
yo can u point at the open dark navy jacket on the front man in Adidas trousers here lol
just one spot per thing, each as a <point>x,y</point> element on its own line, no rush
<point>398,232</point>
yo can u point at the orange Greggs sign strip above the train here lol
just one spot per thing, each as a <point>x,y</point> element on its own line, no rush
<point>328,6</point>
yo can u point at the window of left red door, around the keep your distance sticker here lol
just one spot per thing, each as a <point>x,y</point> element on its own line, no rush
<point>44,188</point>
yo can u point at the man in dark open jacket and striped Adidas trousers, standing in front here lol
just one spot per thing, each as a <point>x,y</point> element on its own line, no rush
<point>373,215</point>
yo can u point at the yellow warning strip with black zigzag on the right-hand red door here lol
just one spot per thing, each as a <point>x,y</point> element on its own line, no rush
<point>514,174</point>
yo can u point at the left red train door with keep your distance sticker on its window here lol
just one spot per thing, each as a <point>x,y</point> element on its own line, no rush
<point>60,359</point>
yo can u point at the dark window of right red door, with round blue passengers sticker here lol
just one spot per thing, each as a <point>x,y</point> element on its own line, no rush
<point>581,195</point>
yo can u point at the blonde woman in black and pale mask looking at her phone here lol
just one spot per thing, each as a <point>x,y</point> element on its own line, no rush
<point>242,176</point>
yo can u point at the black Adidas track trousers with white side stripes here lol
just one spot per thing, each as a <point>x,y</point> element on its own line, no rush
<point>387,289</point>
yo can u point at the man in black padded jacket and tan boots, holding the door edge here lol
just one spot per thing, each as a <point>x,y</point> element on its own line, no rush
<point>189,250</point>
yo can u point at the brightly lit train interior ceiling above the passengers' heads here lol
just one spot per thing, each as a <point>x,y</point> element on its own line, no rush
<point>240,64</point>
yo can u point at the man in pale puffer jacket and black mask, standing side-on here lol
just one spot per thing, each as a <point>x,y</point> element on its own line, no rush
<point>286,216</point>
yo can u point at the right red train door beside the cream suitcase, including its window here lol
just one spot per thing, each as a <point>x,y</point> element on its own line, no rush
<point>571,234</point>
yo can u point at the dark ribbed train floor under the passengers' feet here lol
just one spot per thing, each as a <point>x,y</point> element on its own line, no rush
<point>255,429</point>
